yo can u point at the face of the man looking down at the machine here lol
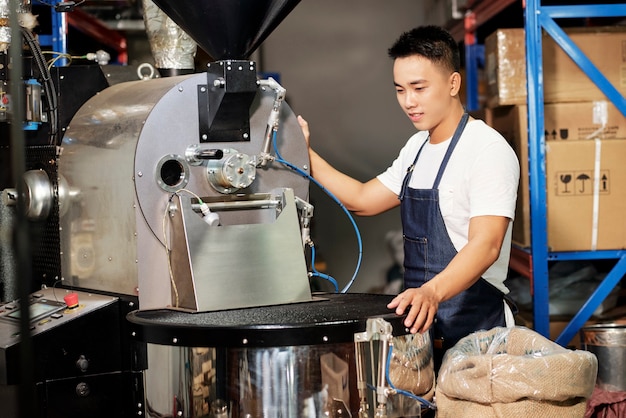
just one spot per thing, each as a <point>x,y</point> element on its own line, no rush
<point>424,90</point>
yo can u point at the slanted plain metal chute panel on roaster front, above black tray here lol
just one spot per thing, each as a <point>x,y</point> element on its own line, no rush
<point>234,266</point>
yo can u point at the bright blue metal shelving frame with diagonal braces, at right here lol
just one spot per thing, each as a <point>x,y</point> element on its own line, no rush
<point>540,17</point>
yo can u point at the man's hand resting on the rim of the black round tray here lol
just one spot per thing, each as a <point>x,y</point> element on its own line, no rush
<point>423,307</point>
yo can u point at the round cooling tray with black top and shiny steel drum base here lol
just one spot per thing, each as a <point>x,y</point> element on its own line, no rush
<point>294,360</point>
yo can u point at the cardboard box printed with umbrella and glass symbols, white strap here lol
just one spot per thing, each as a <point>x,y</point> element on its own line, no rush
<point>586,195</point>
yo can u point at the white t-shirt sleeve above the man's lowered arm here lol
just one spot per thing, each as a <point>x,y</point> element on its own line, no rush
<point>494,181</point>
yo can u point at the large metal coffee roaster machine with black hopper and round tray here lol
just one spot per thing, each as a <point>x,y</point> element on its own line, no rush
<point>176,210</point>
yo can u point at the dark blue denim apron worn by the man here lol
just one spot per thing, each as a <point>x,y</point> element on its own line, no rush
<point>427,251</point>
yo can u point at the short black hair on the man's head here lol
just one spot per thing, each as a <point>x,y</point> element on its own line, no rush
<point>431,42</point>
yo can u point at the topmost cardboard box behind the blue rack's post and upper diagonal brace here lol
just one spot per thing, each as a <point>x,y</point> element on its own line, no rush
<point>563,80</point>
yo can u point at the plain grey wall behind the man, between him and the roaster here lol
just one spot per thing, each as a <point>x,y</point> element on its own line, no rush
<point>332,59</point>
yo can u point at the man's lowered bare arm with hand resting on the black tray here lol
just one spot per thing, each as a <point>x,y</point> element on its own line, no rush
<point>486,234</point>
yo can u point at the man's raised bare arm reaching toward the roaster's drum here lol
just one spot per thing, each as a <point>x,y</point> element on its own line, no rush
<point>364,199</point>
